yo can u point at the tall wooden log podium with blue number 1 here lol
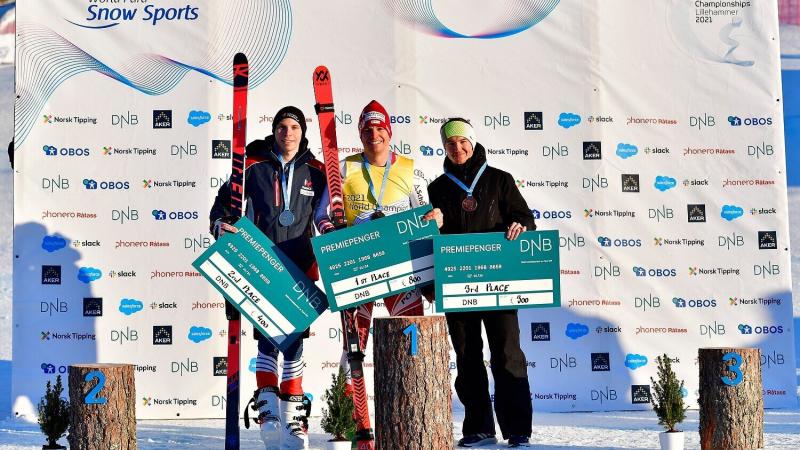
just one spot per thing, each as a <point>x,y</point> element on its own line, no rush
<point>412,384</point>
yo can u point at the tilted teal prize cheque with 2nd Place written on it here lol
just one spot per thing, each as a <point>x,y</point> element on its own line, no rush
<point>262,283</point>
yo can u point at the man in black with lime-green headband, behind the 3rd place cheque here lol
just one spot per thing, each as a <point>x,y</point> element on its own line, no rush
<point>495,204</point>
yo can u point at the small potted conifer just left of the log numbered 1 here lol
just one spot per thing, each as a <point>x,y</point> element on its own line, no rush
<point>337,418</point>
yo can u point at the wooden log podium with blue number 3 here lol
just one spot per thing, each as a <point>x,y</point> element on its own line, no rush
<point>731,399</point>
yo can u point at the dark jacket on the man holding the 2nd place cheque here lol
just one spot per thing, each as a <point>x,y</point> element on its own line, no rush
<point>262,190</point>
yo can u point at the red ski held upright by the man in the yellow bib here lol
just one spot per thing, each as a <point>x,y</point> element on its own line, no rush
<point>323,94</point>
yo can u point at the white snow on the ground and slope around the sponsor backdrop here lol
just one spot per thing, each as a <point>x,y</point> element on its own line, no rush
<point>587,431</point>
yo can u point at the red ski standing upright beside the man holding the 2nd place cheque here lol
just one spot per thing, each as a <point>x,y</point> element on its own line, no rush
<point>240,78</point>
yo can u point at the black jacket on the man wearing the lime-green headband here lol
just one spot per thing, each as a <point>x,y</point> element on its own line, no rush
<point>499,201</point>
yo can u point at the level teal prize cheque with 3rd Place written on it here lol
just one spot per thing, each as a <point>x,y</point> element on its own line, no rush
<point>485,271</point>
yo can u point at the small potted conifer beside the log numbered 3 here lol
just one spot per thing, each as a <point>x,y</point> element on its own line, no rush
<point>668,404</point>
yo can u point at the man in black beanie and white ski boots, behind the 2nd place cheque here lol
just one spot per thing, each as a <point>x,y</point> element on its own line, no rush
<point>283,187</point>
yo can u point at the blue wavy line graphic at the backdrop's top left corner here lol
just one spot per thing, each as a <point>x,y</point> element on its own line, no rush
<point>261,29</point>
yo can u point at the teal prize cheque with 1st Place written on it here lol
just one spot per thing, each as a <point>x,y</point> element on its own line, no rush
<point>375,259</point>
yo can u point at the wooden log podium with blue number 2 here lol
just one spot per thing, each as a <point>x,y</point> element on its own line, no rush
<point>102,401</point>
